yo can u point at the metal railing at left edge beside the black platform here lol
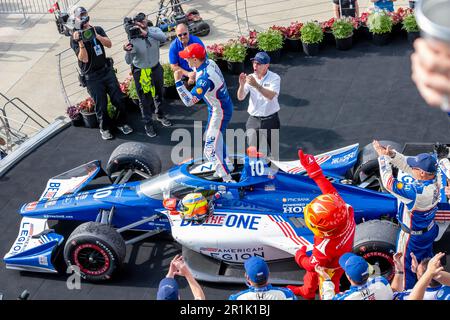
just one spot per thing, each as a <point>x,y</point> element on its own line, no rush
<point>18,122</point>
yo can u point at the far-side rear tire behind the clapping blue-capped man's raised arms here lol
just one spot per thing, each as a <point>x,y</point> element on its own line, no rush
<point>367,163</point>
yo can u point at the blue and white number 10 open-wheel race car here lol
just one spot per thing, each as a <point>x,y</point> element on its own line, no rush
<point>259,215</point>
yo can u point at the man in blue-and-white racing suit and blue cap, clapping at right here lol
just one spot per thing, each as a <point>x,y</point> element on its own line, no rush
<point>418,200</point>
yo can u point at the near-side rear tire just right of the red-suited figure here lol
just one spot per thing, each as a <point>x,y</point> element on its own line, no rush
<point>376,241</point>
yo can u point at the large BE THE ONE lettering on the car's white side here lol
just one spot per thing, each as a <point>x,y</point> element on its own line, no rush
<point>235,221</point>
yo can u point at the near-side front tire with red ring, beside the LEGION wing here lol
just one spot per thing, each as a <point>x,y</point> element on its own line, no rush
<point>97,250</point>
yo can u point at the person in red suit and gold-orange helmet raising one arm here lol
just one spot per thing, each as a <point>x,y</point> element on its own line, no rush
<point>333,224</point>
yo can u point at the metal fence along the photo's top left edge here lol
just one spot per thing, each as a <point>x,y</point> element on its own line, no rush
<point>32,6</point>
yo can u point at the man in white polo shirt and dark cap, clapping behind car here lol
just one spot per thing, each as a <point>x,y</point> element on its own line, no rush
<point>264,88</point>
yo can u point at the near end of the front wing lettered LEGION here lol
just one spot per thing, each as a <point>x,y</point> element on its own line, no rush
<point>34,247</point>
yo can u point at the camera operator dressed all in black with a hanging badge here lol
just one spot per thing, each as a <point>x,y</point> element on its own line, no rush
<point>97,73</point>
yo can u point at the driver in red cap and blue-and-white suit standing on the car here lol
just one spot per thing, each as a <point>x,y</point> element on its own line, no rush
<point>210,86</point>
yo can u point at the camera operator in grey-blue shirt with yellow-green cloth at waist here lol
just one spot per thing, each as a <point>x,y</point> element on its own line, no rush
<point>142,53</point>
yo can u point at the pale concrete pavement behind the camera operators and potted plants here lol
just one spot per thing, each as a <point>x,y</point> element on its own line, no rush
<point>28,60</point>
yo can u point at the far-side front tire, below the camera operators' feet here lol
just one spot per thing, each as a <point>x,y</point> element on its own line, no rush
<point>134,155</point>
